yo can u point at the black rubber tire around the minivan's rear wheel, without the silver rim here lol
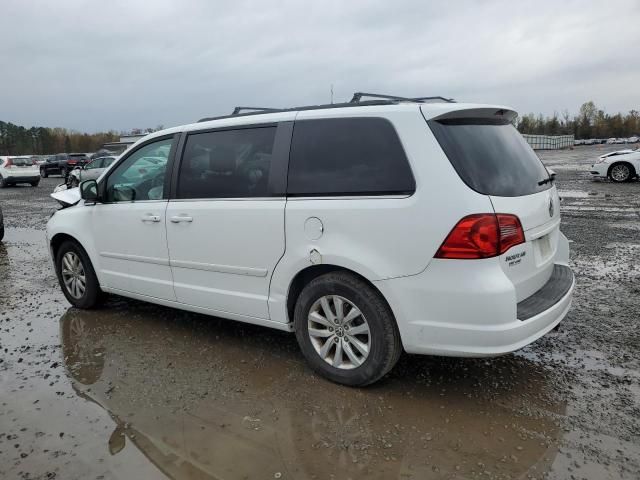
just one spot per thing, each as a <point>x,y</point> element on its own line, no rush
<point>384,339</point>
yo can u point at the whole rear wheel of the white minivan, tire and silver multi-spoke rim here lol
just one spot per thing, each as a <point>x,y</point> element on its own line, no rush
<point>346,330</point>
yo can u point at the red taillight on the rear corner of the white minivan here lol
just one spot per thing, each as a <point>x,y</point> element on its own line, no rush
<point>482,235</point>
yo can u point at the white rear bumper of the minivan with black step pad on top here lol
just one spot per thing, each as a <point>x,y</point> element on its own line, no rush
<point>470,310</point>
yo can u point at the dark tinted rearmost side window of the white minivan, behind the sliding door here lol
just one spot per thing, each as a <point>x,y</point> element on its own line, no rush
<point>347,156</point>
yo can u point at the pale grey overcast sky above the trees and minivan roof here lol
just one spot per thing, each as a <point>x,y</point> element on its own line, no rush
<point>101,65</point>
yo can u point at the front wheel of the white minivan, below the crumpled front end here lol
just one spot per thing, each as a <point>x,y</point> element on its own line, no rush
<point>76,276</point>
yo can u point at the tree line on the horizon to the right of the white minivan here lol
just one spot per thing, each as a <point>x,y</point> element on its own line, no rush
<point>591,122</point>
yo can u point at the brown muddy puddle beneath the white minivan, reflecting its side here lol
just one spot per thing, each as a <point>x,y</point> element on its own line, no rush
<point>206,398</point>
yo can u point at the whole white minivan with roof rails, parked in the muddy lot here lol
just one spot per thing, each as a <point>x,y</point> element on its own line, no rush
<point>367,228</point>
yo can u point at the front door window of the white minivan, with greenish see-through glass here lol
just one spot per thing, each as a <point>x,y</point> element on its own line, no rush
<point>141,175</point>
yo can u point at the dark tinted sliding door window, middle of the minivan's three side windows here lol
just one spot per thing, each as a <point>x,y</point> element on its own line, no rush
<point>227,164</point>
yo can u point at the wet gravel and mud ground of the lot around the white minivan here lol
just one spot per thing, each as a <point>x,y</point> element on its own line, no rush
<point>138,391</point>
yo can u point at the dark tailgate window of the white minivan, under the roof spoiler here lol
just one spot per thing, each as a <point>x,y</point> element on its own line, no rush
<point>491,157</point>
